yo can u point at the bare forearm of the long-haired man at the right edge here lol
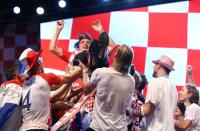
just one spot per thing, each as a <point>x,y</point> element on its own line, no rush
<point>184,124</point>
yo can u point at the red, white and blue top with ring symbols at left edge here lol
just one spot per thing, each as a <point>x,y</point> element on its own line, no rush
<point>10,109</point>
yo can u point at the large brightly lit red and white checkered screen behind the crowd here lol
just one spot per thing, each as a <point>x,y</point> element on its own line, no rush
<point>172,29</point>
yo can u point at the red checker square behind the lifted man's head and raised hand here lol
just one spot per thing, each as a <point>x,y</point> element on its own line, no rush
<point>83,24</point>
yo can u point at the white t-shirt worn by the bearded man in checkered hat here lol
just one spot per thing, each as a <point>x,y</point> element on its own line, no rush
<point>164,96</point>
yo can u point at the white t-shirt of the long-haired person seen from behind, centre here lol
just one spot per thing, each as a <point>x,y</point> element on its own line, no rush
<point>113,96</point>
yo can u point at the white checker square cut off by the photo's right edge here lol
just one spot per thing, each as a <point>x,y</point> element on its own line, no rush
<point>193,31</point>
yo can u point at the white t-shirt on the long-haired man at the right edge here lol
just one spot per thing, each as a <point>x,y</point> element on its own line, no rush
<point>192,113</point>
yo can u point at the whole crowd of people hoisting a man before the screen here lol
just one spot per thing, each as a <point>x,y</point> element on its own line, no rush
<point>102,72</point>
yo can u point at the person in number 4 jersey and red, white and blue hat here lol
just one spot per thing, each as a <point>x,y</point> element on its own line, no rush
<point>36,90</point>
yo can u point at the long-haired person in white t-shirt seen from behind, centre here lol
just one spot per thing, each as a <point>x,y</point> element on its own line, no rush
<point>114,88</point>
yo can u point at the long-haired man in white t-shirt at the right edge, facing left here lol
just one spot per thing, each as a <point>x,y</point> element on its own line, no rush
<point>190,96</point>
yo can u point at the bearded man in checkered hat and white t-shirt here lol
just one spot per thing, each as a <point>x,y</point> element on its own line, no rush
<point>161,99</point>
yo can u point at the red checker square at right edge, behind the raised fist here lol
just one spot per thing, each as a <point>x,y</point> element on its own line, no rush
<point>193,56</point>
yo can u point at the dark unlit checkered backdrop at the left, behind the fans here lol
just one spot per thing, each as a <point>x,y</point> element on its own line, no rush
<point>14,38</point>
